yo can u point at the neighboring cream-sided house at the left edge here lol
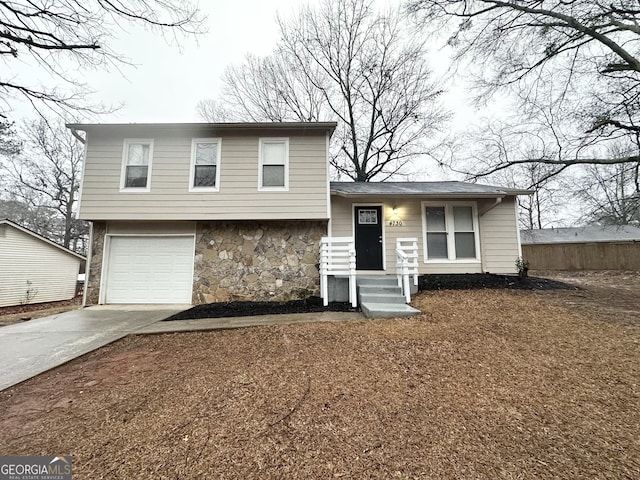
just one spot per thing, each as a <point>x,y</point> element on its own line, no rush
<point>34,269</point>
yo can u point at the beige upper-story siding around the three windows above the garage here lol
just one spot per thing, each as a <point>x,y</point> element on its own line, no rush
<point>238,197</point>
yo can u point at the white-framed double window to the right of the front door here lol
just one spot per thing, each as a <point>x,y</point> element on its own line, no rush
<point>450,232</point>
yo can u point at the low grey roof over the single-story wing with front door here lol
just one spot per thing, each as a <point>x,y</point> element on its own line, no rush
<point>423,189</point>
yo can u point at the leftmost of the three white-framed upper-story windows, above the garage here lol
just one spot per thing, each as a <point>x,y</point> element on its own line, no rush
<point>137,159</point>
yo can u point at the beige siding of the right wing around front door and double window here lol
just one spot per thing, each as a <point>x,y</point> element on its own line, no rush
<point>497,232</point>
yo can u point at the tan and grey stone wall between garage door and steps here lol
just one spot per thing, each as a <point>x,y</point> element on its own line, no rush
<point>251,260</point>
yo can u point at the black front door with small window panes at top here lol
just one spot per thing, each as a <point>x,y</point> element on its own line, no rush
<point>368,229</point>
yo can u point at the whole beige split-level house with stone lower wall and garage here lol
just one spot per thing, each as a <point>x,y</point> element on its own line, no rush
<point>209,212</point>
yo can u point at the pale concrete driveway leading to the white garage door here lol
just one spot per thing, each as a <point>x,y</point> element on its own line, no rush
<point>30,348</point>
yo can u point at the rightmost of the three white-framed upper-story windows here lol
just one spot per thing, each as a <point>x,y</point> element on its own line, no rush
<point>273,173</point>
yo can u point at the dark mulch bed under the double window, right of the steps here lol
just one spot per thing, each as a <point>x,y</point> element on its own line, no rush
<point>475,281</point>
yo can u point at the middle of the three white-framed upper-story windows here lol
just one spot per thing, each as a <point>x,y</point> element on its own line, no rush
<point>204,174</point>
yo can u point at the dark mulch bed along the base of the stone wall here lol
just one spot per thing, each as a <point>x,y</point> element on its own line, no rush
<point>247,309</point>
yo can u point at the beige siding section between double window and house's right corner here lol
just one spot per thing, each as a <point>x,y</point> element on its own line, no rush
<point>499,236</point>
